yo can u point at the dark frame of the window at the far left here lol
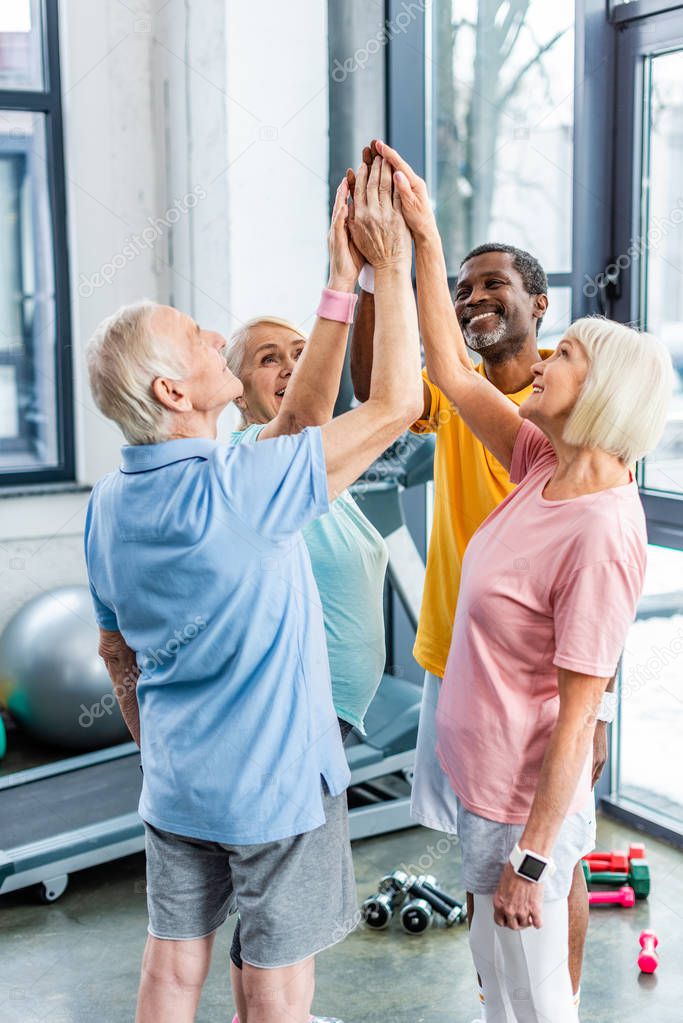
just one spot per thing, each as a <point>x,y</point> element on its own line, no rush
<point>48,102</point>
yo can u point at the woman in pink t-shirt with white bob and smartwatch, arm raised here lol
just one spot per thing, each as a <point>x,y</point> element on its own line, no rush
<point>551,584</point>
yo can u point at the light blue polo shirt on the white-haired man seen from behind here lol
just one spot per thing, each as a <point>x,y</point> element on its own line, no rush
<point>195,554</point>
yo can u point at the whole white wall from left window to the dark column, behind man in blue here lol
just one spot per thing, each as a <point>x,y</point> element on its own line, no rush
<point>200,98</point>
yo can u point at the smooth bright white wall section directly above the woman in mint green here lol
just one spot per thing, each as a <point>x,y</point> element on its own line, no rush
<point>279,157</point>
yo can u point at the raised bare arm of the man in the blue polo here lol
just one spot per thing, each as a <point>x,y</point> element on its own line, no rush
<point>353,441</point>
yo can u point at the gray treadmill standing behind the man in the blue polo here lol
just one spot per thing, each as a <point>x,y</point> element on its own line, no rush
<point>80,812</point>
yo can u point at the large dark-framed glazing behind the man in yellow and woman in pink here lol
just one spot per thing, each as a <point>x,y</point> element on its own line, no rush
<point>580,165</point>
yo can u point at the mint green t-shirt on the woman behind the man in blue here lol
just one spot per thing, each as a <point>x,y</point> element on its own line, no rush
<point>349,560</point>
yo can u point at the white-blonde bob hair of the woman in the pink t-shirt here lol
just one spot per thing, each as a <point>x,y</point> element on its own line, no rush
<point>624,403</point>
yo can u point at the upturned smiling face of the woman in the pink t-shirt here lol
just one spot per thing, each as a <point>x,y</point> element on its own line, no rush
<point>558,384</point>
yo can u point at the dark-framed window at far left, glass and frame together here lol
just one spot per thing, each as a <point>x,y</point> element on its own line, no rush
<point>36,443</point>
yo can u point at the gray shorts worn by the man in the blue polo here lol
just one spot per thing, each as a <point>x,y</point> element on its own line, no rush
<point>296,897</point>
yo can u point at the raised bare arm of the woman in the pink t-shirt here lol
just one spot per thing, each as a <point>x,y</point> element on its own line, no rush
<point>488,414</point>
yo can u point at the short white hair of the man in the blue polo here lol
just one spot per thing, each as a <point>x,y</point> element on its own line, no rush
<point>124,357</point>
